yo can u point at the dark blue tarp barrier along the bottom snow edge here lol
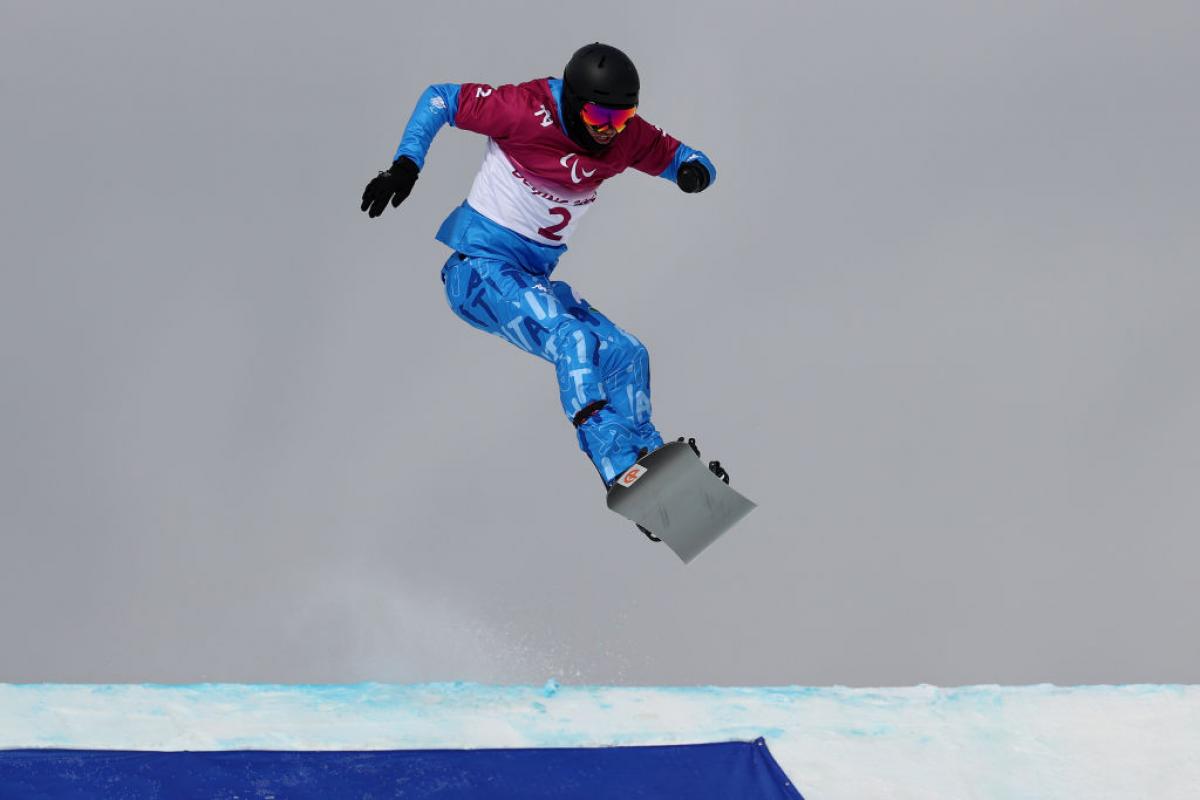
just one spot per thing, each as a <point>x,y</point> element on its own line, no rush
<point>740,771</point>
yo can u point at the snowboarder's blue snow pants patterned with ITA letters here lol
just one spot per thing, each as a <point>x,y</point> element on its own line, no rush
<point>595,359</point>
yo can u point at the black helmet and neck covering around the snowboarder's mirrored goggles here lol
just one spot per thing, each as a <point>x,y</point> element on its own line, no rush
<point>597,74</point>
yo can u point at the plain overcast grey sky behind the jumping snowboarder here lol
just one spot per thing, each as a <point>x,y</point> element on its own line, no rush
<point>938,317</point>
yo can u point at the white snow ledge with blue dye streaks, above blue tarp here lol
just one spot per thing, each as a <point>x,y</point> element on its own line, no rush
<point>922,742</point>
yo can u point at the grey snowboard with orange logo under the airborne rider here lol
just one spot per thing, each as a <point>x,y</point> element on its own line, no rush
<point>674,495</point>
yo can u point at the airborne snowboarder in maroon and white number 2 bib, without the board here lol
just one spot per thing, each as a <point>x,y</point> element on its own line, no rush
<point>551,145</point>
